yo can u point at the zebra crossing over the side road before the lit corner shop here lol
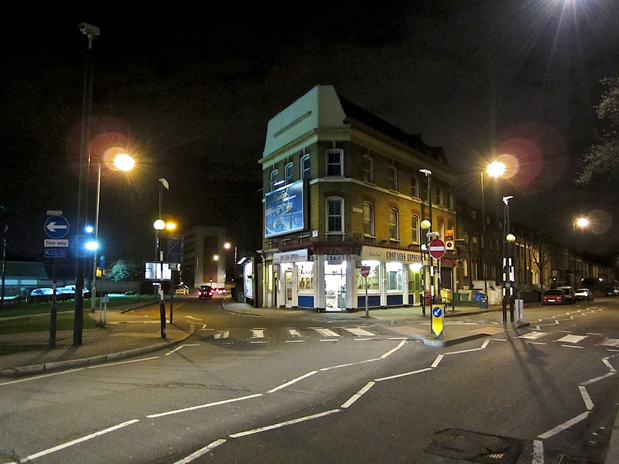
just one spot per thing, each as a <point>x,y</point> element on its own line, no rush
<point>292,334</point>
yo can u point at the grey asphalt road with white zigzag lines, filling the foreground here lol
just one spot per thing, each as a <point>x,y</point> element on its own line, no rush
<point>253,389</point>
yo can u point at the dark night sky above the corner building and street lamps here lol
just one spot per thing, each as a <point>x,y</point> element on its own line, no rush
<point>191,89</point>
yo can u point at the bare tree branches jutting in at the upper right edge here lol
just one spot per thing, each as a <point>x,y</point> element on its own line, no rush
<point>603,156</point>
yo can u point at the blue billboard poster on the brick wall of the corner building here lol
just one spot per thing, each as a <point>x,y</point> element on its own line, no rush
<point>284,210</point>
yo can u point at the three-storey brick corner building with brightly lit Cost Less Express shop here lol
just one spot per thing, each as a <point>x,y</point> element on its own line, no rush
<point>343,189</point>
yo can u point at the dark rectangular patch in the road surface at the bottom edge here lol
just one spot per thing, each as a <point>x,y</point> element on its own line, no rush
<point>475,447</point>
